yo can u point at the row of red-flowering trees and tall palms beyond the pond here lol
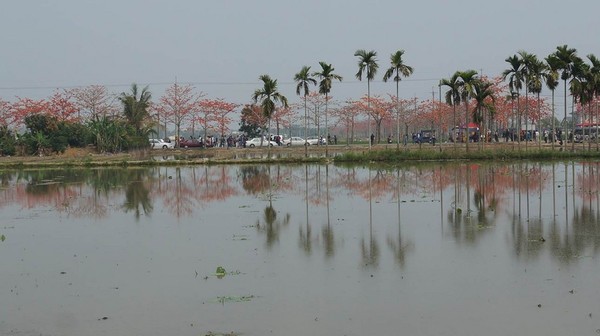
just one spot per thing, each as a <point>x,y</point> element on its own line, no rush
<point>91,115</point>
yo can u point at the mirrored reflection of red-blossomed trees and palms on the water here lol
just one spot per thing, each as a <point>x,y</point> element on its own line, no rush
<point>543,206</point>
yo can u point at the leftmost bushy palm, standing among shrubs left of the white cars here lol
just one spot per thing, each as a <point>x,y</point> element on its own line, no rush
<point>135,107</point>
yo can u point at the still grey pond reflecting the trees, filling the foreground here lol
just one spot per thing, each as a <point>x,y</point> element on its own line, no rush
<point>420,249</point>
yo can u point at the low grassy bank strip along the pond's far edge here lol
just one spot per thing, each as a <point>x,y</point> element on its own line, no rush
<point>88,157</point>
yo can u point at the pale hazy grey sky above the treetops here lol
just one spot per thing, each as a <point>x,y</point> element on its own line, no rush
<point>224,46</point>
